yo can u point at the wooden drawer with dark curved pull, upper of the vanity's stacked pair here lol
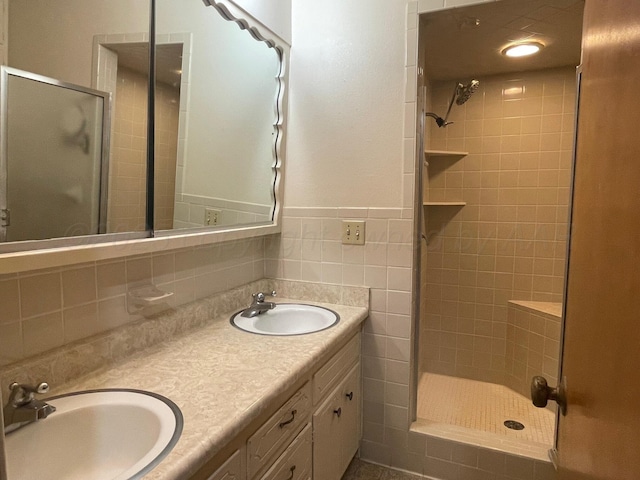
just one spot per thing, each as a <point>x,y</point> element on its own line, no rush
<point>267,443</point>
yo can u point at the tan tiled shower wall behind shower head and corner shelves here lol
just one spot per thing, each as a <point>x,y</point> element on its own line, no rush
<point>508,242</point>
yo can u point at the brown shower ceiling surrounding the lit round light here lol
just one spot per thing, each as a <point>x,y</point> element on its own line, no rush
<point>466,42</point>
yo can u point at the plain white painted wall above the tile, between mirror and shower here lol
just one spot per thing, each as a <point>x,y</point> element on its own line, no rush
<point>346,104</point>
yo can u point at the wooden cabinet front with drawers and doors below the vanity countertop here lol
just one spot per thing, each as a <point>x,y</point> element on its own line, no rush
<point>314,434</point>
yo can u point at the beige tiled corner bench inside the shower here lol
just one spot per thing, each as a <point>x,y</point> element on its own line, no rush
<point>533,343</point>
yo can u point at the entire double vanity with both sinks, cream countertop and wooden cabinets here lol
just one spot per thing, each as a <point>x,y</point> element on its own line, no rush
<point>249,406</point>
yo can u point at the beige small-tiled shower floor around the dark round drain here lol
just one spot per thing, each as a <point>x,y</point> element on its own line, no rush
<point>472,411</point>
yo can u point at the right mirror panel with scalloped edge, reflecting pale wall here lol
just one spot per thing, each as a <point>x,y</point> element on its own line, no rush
<point>217,125</point>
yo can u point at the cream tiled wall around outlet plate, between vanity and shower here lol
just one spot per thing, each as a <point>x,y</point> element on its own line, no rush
<point>310,248</point>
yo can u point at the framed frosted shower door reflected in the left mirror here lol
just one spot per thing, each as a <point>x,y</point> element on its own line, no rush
<point>54,166</point>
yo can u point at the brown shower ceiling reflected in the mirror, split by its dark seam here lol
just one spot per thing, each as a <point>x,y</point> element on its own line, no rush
<point>135,56</point>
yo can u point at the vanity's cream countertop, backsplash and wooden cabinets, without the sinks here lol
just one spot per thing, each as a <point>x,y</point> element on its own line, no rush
<point>254,406</point>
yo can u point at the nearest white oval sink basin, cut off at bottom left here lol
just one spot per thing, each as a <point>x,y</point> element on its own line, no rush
<point>97,435</point>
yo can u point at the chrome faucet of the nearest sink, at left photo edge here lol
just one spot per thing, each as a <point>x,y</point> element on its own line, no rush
<point>23,407</point>
